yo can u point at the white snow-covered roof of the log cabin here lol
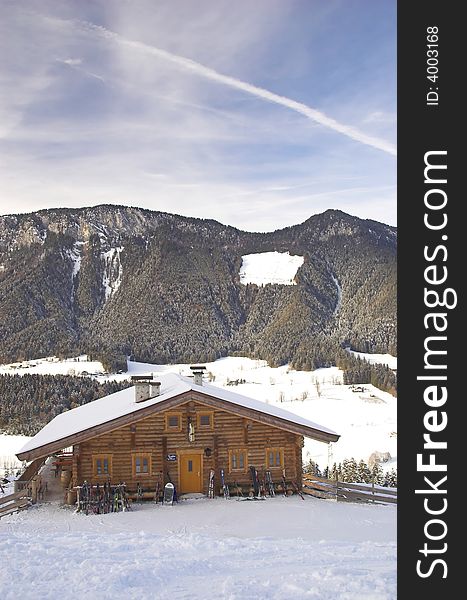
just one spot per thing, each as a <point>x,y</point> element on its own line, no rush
<point>120,404</point>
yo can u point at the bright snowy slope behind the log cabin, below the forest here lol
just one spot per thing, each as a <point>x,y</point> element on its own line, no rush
<point>366,421</point>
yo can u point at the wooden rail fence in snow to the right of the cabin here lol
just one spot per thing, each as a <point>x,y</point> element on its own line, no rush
<point>341,491</point>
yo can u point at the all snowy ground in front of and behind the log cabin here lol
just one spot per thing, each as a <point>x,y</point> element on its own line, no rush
<point>279,548</point>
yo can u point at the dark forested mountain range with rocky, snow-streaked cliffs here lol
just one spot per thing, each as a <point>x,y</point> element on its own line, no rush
<point>114,281</point>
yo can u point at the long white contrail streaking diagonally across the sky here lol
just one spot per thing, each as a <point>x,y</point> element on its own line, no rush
<point>208,73</point>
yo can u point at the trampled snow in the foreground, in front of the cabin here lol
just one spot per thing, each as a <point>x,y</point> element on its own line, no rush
<point>198,549</point>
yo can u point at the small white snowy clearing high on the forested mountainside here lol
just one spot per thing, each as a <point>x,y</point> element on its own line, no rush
<point>270,267</point>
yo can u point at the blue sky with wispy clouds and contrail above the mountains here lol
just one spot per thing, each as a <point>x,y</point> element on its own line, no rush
<point>257,114</point>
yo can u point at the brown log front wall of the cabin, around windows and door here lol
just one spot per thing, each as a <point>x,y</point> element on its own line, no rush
<point>149,436</point>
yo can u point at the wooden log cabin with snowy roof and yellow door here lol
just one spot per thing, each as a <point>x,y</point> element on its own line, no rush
<point>178,428</point>
